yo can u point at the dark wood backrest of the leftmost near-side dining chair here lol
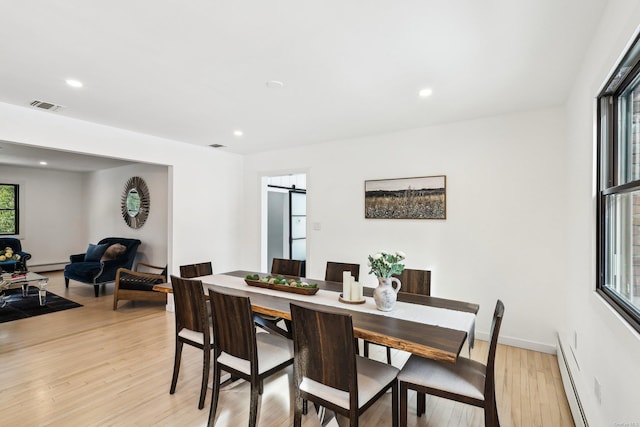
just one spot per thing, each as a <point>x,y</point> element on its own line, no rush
<point>190,306</point>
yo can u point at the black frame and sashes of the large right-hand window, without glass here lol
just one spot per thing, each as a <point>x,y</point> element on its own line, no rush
<point>607,170</point>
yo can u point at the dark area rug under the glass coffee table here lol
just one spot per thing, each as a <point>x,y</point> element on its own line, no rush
<point>19,307</point>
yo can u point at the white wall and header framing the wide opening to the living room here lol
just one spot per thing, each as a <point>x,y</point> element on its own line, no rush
<point>204,184</point>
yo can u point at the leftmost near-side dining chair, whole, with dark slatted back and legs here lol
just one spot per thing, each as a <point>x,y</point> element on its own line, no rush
<point>193,327</point>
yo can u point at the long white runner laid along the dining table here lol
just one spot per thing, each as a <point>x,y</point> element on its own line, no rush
<point>442,317</point>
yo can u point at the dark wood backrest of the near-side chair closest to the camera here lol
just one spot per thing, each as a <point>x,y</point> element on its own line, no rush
<point>324,349</point>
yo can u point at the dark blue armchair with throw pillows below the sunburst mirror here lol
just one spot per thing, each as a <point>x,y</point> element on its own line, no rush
<point>103,262</point>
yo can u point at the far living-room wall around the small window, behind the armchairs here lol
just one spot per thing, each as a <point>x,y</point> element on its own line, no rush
<point>53,212</point>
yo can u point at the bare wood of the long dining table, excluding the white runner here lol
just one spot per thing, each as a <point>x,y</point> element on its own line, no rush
<point>423,339</point>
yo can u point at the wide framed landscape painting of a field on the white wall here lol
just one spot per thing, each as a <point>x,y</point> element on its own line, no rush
<point>406,198</point>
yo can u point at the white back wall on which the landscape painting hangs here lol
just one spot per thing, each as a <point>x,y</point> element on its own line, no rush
<point>503,236</point>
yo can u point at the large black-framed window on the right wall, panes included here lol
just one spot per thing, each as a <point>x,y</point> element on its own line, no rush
<point>619,188</point>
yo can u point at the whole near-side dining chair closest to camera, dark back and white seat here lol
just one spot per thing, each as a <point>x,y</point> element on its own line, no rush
<point>327,370</point>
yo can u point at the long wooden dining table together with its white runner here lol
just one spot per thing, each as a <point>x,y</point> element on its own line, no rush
<point>431,327</point>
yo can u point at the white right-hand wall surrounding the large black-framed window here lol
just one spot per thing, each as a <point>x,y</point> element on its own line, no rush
<point>608,349</point>
